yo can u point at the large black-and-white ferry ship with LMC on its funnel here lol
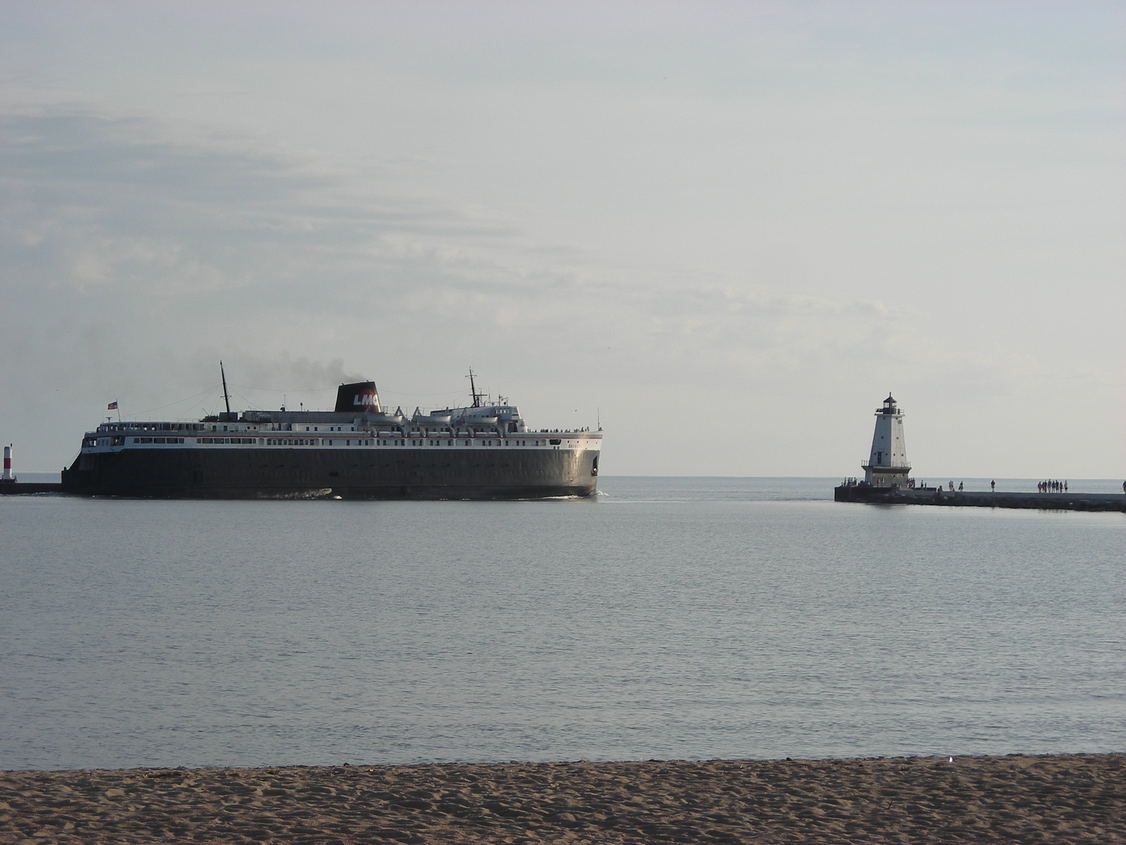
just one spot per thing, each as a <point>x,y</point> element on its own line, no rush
<point>356,451</point>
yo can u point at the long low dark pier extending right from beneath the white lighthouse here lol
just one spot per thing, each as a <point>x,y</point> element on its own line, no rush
<point>959,499</point>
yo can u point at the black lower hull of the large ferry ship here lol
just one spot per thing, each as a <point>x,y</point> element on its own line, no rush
<point>385,474</point>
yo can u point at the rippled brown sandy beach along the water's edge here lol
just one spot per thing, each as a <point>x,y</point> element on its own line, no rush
<point>1051,799</point>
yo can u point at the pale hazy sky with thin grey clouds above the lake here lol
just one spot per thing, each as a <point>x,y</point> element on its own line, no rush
<point>722,232</point>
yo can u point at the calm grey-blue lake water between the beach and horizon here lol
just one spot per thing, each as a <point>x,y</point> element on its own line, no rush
<point>669,619</point>
